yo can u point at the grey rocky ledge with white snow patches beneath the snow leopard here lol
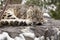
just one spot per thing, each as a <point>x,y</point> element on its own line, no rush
<point>49,30</point>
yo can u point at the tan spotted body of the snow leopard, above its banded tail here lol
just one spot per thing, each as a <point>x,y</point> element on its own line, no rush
<point>32,13</point>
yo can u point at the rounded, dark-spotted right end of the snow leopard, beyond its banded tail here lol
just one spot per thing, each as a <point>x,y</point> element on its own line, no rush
<point>35,14</point>
